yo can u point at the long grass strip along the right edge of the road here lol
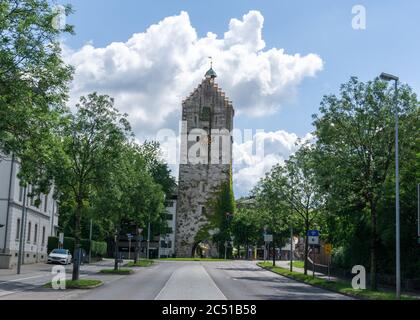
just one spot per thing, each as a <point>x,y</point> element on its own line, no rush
<point>336,286</point>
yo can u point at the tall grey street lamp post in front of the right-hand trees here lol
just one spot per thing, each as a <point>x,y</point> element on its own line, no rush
<point>389,77</point>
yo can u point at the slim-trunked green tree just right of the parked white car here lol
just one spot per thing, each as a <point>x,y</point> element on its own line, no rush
<point>91,141</point>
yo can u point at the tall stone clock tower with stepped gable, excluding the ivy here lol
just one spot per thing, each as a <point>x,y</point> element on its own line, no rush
<point>206,160</point>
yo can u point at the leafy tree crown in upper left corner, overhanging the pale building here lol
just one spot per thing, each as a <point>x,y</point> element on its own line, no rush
<point>33,85</point>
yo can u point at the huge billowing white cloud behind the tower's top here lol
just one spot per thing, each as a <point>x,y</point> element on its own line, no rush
<point>150,73</point>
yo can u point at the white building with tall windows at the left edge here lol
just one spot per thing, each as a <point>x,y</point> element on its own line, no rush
<point>39,223</point>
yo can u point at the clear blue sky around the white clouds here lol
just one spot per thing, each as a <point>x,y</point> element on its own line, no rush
<point>390,43</point>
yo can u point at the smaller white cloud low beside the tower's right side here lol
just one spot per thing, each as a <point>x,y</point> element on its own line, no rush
<point>249,167</point>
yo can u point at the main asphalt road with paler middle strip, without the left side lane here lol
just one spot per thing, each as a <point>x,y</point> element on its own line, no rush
<point>237,280</point>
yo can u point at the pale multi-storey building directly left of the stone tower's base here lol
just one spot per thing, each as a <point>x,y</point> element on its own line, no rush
<point>167,241</point>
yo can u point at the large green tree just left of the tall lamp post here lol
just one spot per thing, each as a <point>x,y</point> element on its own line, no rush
<point>355,150</point>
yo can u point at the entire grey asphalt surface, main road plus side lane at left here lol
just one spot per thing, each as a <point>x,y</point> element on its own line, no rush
<point>234,280</point>
